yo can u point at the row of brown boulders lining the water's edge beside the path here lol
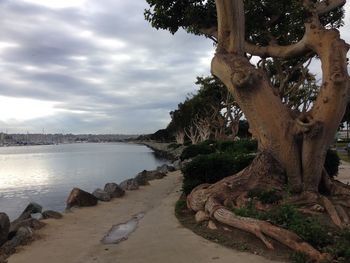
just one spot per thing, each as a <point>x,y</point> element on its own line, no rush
<point>21,231</point>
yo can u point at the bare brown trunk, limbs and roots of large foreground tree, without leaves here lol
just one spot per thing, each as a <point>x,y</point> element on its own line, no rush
<point>292,149</point>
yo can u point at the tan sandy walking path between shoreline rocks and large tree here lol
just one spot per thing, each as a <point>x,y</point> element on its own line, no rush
<point>158,239</point>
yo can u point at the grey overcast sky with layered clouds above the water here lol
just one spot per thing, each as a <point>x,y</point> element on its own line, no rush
<point>87,66</point>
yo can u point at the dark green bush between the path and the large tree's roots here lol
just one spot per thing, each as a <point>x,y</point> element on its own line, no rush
<point>212,168</point>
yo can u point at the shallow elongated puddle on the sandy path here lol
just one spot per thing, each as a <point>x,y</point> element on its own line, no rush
<point>121,232</point>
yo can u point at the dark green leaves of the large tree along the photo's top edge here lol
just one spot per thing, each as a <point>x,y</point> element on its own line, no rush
<point>284,20</point>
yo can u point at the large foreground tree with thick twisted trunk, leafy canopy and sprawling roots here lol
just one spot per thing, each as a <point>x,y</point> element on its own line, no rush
<point>292,142</point>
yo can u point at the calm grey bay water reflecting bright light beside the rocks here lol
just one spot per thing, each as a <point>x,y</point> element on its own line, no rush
<point>46,174</point>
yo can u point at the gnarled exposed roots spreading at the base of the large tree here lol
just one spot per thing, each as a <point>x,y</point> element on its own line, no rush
<point>265,173</point>
